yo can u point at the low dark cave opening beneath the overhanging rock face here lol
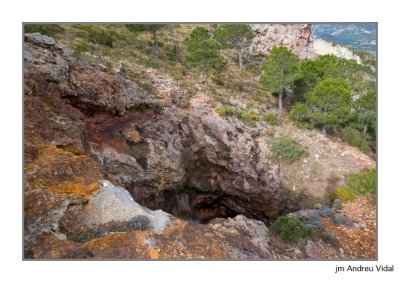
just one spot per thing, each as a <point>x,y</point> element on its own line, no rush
<point>197,205</point>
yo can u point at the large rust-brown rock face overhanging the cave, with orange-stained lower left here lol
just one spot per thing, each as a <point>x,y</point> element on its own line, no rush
<point>83,125</point>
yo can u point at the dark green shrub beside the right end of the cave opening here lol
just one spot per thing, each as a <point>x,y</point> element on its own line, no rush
<point>289,229</point>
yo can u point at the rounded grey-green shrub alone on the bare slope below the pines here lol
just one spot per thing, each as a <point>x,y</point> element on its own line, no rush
<point>286,149</point>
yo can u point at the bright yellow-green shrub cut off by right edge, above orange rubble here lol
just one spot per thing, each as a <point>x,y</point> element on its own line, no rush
<point>362,183</point>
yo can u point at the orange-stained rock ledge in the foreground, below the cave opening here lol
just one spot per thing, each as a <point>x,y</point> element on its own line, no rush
<point>178,240</point>
